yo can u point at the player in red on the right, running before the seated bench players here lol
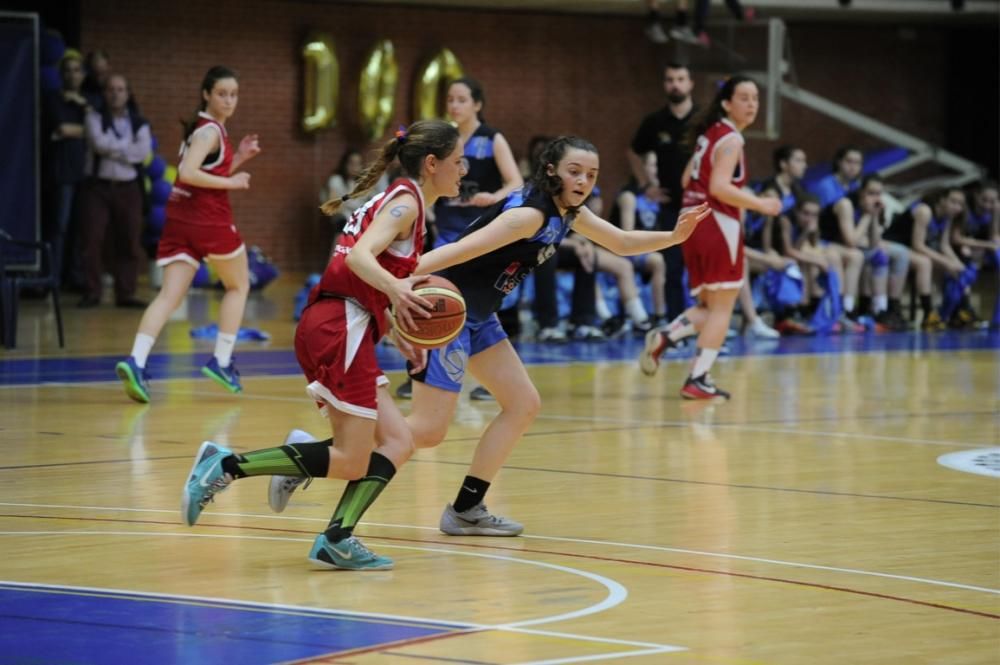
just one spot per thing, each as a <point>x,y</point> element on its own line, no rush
<point>713,254</point>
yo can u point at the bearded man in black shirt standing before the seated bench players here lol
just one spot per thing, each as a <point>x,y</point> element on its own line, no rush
<point>663,132</point>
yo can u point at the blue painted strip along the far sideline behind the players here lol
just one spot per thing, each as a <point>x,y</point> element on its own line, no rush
<point>281,362</point>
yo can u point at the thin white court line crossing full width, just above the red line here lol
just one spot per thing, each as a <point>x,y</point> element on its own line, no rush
<point>604,543</point>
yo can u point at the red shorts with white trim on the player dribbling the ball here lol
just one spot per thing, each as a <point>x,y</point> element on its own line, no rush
<point>335,346</point>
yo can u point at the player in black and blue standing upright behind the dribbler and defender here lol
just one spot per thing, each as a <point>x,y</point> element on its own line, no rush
<point>491,174</point>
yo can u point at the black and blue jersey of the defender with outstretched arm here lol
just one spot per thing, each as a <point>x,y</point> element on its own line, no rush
<point>485,280</point>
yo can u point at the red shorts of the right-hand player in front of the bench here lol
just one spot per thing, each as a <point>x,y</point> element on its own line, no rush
<point>713,255</point>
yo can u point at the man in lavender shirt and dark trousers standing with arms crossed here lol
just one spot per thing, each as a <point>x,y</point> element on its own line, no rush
<point>119,140</point>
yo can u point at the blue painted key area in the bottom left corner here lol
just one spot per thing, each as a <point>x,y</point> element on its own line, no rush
<point>82,626</point>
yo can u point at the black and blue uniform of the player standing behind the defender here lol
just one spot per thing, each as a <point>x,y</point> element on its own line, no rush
<point>482,176</point>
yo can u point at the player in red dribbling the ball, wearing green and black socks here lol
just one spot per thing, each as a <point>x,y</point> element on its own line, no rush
<point>370,270</point>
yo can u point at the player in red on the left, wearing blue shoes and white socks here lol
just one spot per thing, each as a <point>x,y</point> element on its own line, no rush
<point>200,226</point>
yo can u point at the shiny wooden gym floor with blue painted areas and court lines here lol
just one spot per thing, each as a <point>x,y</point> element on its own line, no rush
<point>812,519</point>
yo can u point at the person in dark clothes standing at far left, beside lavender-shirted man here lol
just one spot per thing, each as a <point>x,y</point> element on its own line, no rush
<point>65,113</point>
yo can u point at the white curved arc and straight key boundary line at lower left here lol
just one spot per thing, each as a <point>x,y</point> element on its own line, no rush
<point>617,593</point>
